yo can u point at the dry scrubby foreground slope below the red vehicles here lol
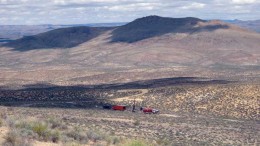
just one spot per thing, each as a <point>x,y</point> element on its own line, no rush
<point>105,127</point>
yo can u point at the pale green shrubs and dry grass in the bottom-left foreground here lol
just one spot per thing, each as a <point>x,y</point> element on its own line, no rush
<point>24,132</point>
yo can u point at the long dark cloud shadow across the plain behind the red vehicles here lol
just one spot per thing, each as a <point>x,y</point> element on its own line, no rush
<point>87,96</point>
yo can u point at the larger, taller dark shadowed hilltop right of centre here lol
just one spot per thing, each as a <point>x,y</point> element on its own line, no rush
<point>152,26</point>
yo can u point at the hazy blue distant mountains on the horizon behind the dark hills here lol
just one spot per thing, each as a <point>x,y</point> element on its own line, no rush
<point>12,32</point>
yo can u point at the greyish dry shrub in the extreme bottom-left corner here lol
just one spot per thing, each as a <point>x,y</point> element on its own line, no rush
<point>13,138</point>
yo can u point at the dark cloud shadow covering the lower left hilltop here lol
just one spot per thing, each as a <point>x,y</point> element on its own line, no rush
<point>61,38</point>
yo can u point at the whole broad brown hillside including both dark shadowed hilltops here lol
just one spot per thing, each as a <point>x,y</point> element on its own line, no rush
<point>194,47</point>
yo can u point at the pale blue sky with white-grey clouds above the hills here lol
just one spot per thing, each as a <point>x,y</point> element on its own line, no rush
<point>31,12</point>
